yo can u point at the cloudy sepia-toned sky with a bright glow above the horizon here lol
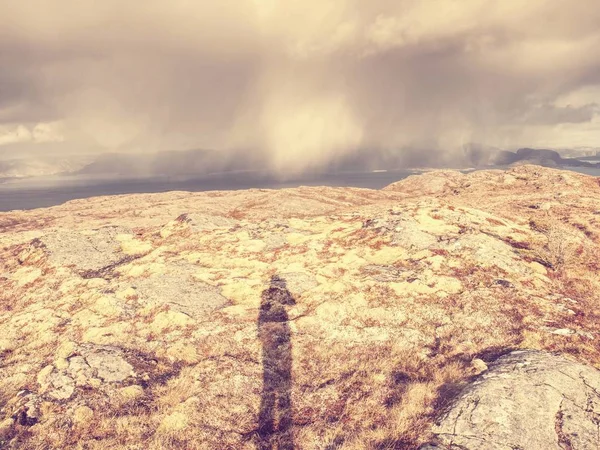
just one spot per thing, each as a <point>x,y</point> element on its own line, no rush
<point>298,83</point>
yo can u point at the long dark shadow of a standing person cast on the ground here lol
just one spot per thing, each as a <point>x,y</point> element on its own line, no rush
<point>275,418</point>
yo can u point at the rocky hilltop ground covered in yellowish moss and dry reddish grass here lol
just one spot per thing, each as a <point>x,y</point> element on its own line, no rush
<point>309,318</point>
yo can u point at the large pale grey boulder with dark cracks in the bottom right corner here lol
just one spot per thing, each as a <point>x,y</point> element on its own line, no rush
<point>526,400</point>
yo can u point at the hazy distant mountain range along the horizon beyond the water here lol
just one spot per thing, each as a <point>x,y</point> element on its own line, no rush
<point>200,162</point>
